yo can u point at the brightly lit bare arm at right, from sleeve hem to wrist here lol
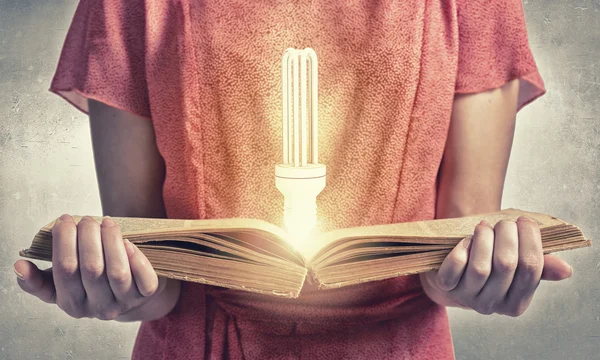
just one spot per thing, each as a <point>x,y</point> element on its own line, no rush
<point>473,168</point>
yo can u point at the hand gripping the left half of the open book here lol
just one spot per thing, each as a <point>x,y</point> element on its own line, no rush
<point>97,274</point>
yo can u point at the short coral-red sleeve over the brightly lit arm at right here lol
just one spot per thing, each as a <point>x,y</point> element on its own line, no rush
<point>494,49</point>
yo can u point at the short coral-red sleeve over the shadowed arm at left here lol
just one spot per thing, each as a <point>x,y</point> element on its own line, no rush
<point>103,57</point>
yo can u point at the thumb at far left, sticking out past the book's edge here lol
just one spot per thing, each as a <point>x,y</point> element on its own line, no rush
<point>35,281</point>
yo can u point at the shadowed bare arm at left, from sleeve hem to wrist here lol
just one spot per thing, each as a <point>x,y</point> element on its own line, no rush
<point>131,174</point>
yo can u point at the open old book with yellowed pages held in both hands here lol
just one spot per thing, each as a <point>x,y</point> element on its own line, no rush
<point>254,255</point>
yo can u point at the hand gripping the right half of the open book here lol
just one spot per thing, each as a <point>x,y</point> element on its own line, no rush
<point>497,270</point>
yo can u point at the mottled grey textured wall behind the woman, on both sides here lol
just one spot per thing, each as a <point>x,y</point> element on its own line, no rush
<point>46,168</point>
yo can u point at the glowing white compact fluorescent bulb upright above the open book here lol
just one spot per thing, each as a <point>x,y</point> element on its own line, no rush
<point>300,178</point>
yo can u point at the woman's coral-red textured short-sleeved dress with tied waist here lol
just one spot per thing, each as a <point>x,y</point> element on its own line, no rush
<point>208,75</point>
